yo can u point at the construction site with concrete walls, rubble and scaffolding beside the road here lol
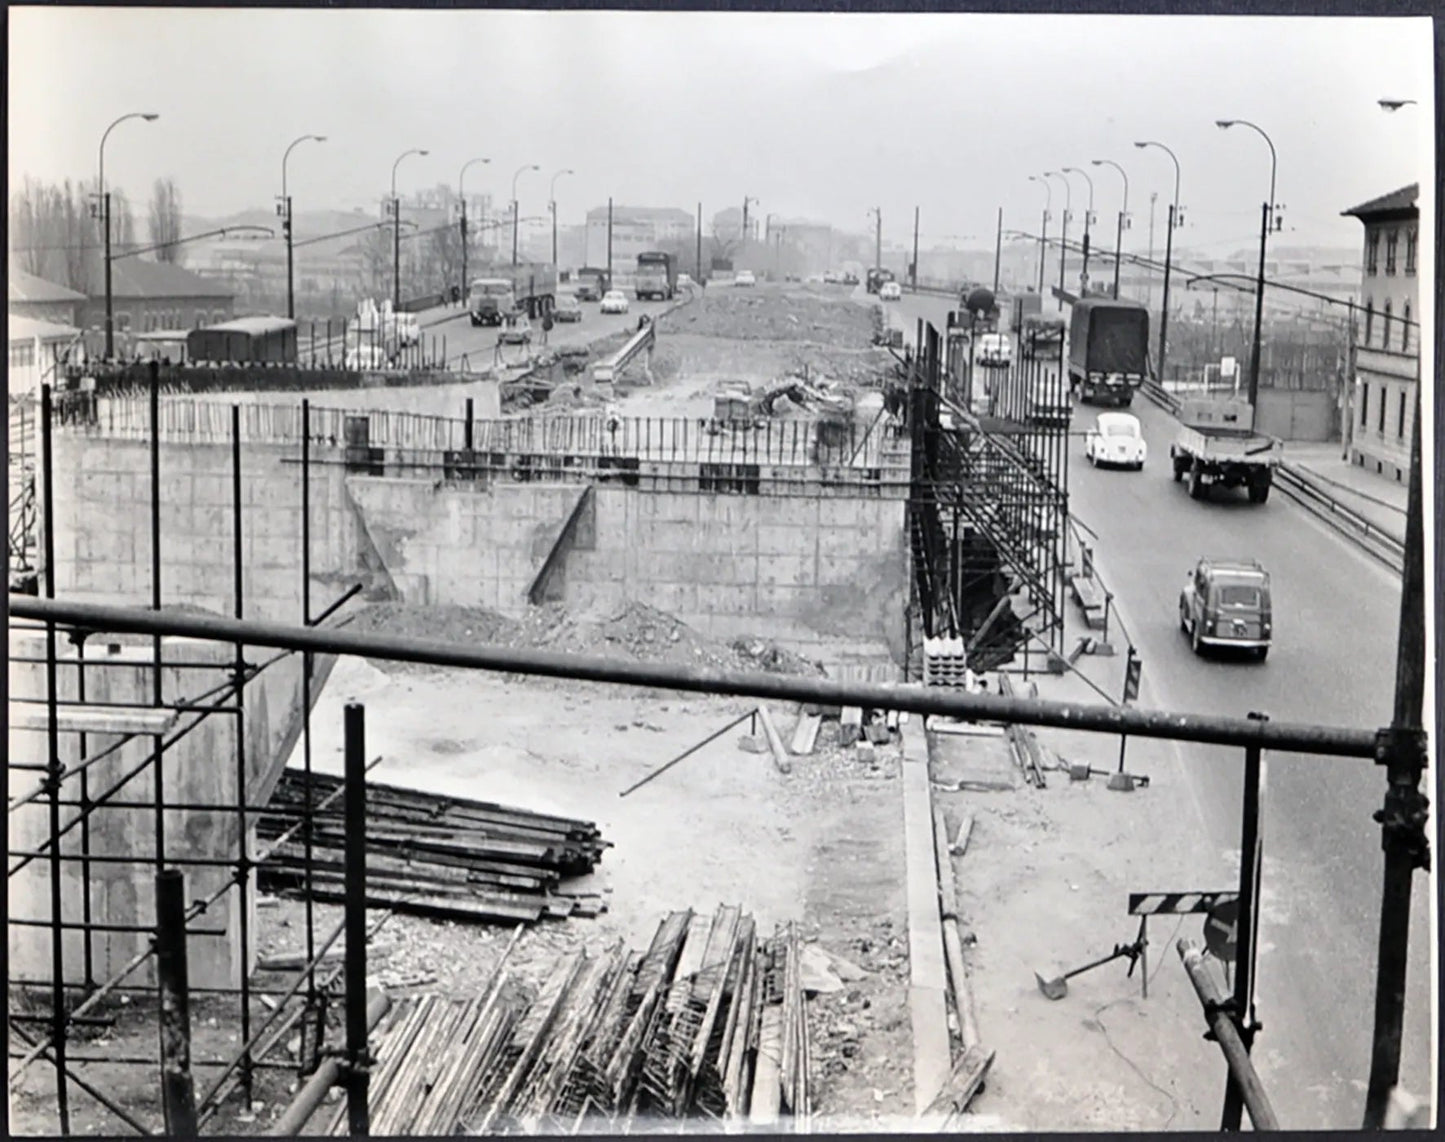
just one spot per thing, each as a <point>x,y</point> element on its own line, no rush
<point>726,731</point>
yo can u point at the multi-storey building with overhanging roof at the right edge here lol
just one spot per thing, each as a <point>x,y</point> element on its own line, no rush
<point>1381,408</point>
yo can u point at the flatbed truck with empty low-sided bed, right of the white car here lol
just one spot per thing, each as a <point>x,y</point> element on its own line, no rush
<point>1217,446</point>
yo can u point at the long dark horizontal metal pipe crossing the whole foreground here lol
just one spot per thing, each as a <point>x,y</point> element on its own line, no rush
<point>1212,729</point>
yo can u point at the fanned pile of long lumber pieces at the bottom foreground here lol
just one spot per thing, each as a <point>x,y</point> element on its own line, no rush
<point>707,1024</point>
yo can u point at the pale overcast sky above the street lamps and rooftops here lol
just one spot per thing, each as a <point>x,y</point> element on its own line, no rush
<point>821,116</point>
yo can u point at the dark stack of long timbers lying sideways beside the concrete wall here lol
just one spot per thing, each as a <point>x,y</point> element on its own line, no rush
<point>434,856</point>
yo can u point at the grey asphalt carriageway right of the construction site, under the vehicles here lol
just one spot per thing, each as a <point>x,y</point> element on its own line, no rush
<point>1333,663</point>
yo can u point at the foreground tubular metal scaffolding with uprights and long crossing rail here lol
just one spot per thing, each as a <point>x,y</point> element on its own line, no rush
<point>1399,750</point>
